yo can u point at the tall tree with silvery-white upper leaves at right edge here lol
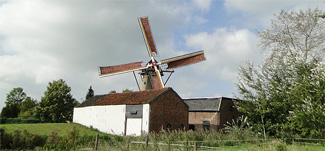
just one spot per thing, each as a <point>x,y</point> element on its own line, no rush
<point>289,85</point>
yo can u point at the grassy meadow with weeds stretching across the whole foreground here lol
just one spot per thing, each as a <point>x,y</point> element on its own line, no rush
<point>70,136</point>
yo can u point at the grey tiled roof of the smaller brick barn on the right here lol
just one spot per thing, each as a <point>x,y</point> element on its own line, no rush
<point>203,104</point>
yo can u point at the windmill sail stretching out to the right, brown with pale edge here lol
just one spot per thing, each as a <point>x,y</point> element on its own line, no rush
<point>184,60</point>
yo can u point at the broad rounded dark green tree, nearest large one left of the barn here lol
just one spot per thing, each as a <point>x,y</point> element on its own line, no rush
<point>57,103</point>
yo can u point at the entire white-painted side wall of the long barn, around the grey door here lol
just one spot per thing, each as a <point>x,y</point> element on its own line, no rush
<point>111,119</point>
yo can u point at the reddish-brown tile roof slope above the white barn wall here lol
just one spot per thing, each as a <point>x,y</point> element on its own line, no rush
<point>139,97</point>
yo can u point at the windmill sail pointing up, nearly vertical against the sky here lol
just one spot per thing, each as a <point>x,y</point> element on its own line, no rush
<point>147,34</point>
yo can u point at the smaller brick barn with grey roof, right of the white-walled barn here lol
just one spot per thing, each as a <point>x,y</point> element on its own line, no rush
<point>211,113</point>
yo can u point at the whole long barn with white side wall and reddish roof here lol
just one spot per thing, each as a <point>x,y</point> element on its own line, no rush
<point>133,113</point>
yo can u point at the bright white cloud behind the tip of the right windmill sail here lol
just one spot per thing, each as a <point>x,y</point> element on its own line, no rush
<point>225,49</point>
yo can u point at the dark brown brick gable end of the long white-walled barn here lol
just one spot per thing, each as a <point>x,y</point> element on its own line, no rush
<point>168,110</point>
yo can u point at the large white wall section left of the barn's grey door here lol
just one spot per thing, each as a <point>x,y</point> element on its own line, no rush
<point>108,119</point>
